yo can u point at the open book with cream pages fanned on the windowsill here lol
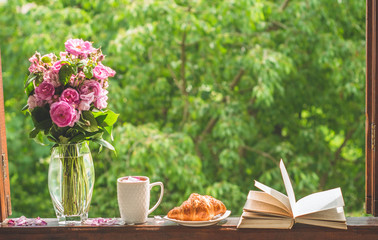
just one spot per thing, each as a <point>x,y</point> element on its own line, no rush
<point>269,208</point>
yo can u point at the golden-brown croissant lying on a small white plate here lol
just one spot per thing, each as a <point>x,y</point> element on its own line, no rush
<point>198,208</point>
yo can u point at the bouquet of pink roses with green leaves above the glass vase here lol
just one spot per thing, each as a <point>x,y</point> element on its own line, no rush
<point>67,96</point>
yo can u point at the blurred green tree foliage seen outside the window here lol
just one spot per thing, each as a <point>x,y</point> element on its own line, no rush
<point>211,94</point>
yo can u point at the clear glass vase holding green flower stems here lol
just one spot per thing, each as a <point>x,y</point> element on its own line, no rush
<point>71,180</point>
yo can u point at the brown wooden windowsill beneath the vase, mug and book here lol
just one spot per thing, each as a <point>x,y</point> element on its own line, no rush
<point>358,228</point>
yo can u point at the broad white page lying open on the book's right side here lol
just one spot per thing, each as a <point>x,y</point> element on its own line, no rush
<point>320,201</point>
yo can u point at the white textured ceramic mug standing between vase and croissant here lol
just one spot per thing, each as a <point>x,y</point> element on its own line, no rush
<point>134,198</point>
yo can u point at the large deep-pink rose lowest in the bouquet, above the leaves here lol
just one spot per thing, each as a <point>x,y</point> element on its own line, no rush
<point>63,114</point>
